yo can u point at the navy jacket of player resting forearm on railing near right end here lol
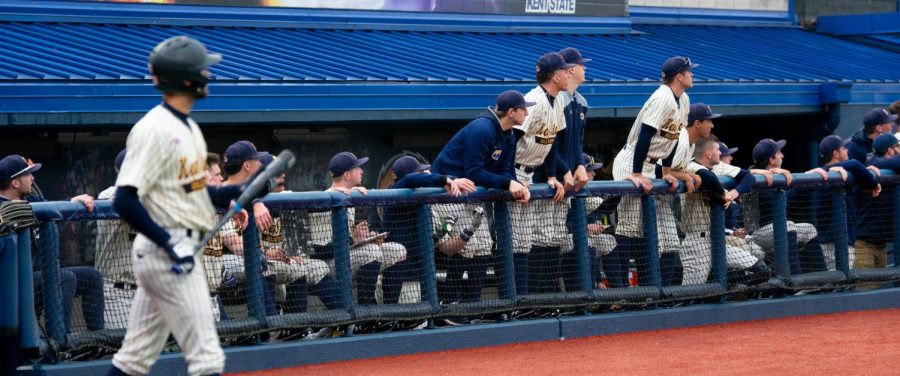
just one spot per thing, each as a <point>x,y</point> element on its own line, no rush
<point>863,179</point>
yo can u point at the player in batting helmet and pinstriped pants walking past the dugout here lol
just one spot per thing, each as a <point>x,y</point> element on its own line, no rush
<point>163,194</point>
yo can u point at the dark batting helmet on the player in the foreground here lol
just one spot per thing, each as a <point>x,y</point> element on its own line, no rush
<point>179,59</point>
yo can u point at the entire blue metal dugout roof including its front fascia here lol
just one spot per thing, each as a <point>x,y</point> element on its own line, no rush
<point>85,63</point>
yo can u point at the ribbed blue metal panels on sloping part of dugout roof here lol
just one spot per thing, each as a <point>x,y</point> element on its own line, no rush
<point>73,51</point>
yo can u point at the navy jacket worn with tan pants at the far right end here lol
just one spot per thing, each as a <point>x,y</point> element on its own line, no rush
<point>875,222</point>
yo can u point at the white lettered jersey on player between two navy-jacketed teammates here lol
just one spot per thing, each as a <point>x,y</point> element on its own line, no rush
<point>540,128</point>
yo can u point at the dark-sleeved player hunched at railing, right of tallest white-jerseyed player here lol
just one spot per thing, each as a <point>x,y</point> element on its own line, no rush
<point>695,252</point>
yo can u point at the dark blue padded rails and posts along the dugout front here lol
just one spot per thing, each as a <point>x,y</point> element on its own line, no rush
<point>51,212</point>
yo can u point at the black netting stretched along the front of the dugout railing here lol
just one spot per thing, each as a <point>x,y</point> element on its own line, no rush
<point>392,266</point>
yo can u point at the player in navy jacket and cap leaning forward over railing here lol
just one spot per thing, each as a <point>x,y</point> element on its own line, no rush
<point>484,151</point>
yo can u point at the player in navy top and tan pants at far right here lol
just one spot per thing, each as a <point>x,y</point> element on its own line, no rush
<point>874,228</point>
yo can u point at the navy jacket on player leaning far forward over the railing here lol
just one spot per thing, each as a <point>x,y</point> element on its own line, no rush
<point>482,152</point>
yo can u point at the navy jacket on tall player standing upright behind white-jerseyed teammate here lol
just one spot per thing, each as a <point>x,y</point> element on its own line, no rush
<point>569,142</point>
